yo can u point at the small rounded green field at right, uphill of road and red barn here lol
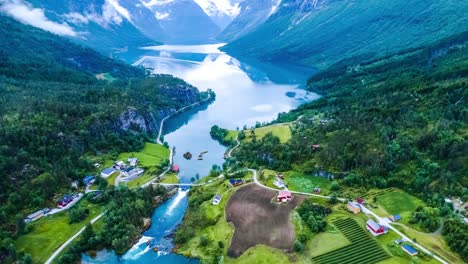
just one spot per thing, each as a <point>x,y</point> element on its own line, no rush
<point>399,202</point>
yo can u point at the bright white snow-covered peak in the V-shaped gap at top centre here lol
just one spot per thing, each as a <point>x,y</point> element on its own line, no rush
<point>222,12</point>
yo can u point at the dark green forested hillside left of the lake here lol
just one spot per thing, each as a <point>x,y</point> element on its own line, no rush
<point>55,116</point>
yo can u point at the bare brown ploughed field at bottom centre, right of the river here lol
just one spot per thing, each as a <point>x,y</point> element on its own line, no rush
<point>267,223</point>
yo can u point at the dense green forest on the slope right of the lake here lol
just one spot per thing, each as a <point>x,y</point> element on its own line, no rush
<point>399,121</point>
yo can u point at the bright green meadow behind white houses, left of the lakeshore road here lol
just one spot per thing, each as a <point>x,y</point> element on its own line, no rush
<point>151,155</point>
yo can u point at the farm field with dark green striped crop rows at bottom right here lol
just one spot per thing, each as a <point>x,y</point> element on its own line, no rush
<point>363,249</point>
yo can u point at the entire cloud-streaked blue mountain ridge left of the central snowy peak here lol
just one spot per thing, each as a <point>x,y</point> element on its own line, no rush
<point>112,25</point>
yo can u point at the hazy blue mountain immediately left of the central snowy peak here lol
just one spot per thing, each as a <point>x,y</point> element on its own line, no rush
<point>184,21</point>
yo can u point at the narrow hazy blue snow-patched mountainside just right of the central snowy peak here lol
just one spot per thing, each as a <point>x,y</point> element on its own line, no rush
<point>252,14</point>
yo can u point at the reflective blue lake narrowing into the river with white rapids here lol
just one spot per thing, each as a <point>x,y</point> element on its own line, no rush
<point>246,93</point>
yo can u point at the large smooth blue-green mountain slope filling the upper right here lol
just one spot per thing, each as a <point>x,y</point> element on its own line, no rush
<point>320,33</point>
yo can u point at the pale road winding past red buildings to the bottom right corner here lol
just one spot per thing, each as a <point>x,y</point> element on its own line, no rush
<point>382,220</point>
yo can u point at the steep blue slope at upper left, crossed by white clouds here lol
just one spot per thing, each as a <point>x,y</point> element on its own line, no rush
<point>102,24</point>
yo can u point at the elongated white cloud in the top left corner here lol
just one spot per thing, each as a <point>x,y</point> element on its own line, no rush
<point>27,14</point>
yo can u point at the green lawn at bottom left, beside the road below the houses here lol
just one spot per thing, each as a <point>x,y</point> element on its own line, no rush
<point>52,231</point>
